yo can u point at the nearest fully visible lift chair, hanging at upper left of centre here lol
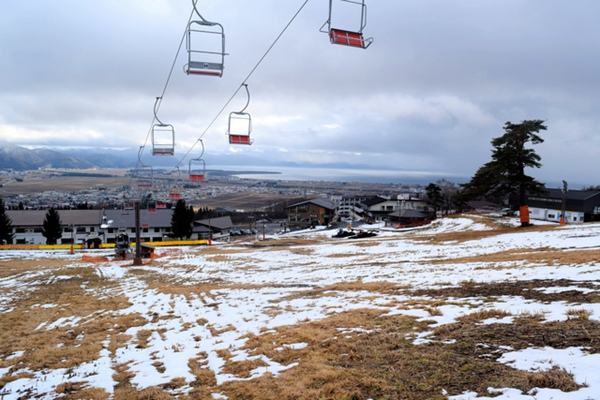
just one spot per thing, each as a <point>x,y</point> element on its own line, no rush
<point>213,61</point>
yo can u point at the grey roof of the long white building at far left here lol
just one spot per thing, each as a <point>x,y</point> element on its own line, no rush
<point>67,217</point>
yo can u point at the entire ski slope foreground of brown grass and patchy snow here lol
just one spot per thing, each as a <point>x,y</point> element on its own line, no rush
<point>467,308</point>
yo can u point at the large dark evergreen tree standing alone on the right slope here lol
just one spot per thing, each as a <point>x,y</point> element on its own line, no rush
<point>504,176</point>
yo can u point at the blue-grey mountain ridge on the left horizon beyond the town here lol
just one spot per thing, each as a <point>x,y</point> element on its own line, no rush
<point>20,158</point>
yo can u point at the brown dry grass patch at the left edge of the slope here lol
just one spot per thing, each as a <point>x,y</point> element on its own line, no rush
<point>64,346</point>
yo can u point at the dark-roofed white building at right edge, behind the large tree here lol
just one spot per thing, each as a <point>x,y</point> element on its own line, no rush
<point>581,205</point>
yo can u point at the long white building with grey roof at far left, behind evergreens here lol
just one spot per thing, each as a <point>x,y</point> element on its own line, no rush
<point>78,225</point>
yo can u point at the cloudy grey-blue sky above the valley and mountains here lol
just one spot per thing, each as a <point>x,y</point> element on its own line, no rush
<point>438,83</point>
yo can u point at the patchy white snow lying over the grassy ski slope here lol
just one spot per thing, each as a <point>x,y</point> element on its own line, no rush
<point>262,288</point>
